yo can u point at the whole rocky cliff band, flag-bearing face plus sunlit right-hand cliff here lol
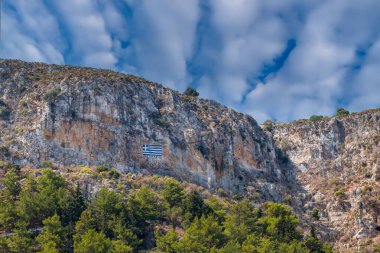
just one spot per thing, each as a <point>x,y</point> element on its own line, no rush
<point>74,116</point>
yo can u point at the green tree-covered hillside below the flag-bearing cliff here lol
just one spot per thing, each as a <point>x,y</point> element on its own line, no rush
<point>42,210</point>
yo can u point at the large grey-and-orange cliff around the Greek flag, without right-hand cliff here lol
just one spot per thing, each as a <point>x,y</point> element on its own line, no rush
<point>72,115</point>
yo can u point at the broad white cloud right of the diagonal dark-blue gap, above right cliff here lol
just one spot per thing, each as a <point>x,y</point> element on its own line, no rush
<point>315,75</point>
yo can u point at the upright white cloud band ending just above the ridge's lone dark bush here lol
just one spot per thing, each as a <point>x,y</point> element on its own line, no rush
<point>163,42</point>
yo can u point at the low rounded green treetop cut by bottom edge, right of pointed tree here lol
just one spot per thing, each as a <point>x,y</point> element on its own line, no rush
<point>92,242</point>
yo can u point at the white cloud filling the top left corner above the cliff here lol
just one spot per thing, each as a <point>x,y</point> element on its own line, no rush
<point>28,36</point>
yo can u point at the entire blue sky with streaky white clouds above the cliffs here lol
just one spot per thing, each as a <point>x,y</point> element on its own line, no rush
<point>280,60</point>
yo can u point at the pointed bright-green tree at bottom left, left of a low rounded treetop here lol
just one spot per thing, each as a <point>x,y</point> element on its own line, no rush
<point>52,237</point>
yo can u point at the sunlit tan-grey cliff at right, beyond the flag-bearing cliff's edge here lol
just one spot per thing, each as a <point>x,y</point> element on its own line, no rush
<point>337,163</point>
